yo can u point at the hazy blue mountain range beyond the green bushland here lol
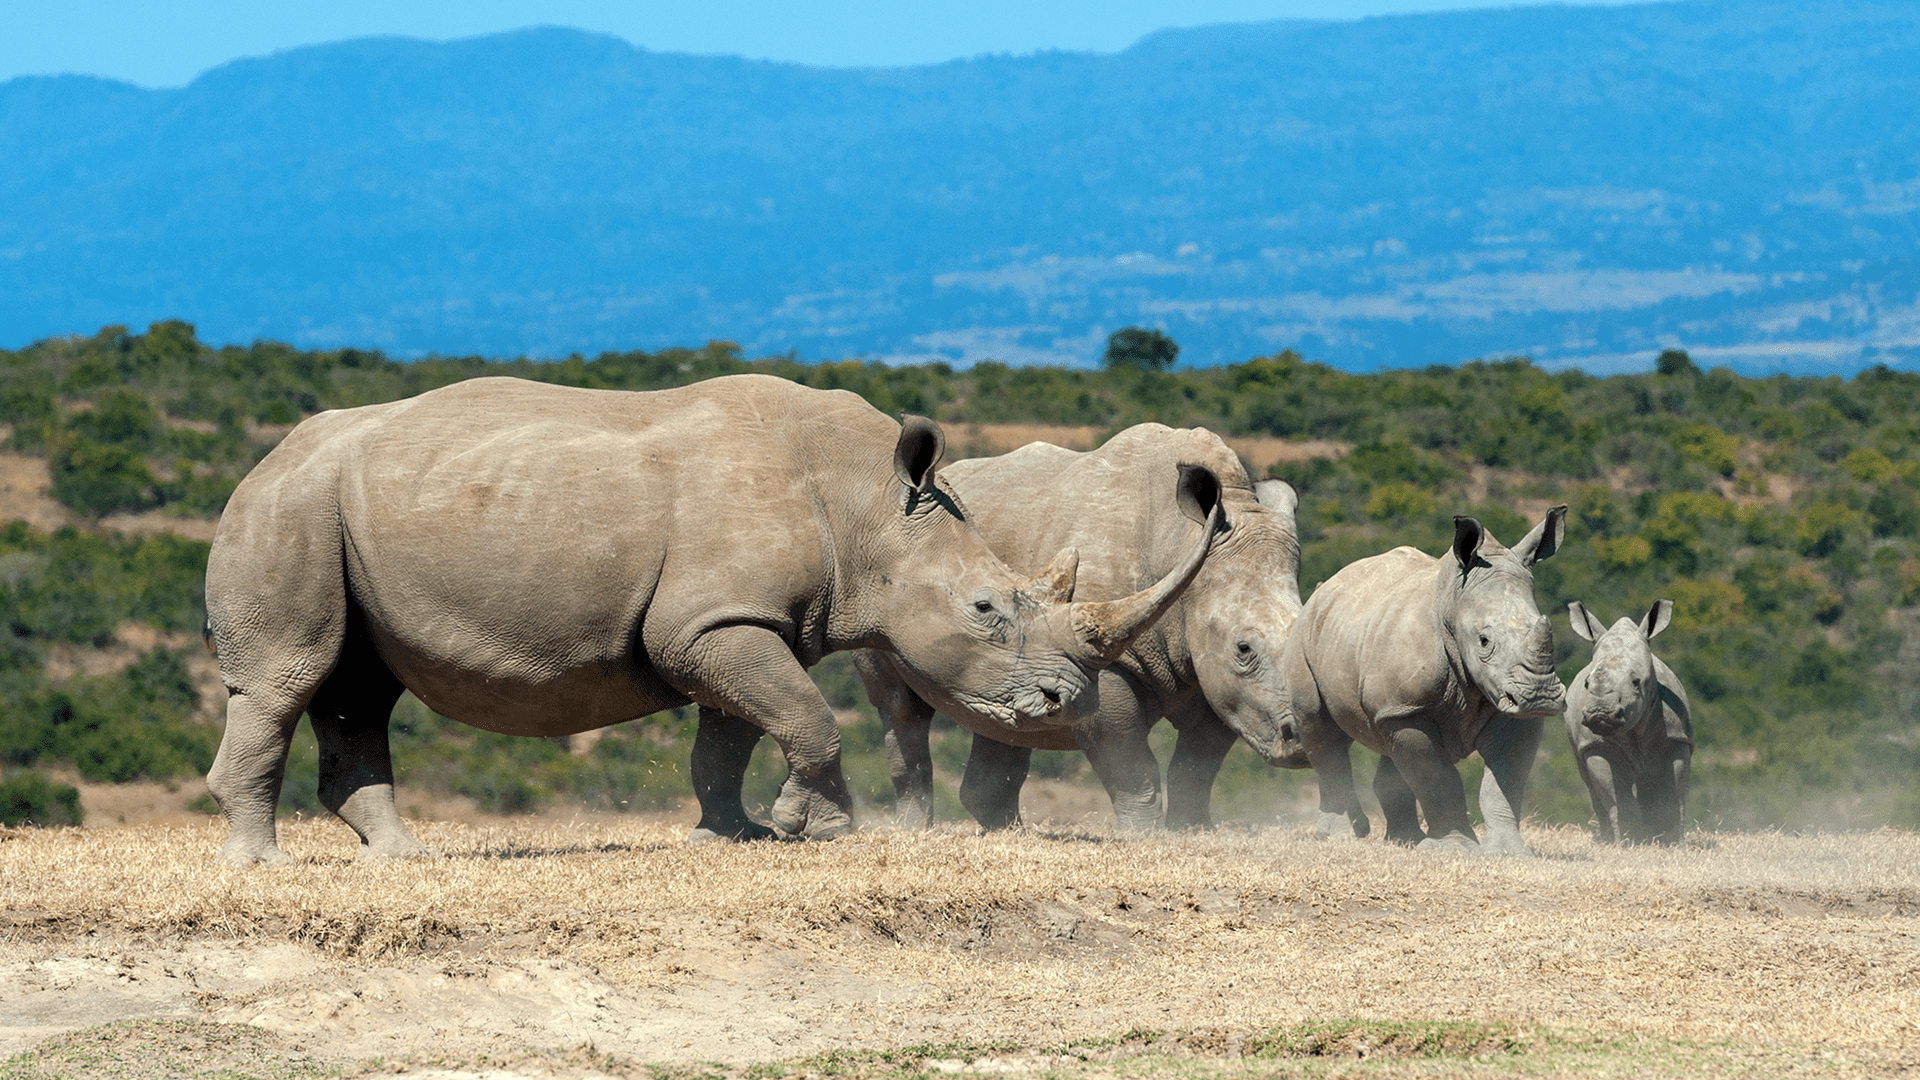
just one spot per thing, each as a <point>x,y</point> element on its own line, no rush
<point>1583,185</point>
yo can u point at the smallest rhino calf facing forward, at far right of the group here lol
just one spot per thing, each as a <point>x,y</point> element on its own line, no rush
<point>1631,729</point>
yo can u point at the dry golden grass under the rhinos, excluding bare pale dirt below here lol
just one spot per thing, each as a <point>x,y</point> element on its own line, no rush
<point>1040,939</point>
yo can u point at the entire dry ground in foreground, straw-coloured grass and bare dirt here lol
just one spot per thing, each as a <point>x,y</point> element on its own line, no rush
<point>612,948</point>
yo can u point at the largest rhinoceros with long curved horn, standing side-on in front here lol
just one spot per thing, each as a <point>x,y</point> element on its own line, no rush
<point>540,560</point>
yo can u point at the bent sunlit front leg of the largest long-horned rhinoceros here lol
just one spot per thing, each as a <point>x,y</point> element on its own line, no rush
<point>750,674</point>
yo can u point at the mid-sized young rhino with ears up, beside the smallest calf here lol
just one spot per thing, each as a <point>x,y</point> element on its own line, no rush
<point>1426,662</point>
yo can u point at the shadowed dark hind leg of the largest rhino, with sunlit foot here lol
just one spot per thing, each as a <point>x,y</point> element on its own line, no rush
<point>350,714</point>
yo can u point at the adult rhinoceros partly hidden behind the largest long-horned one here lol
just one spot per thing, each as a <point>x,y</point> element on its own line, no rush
<point>1209,666</point>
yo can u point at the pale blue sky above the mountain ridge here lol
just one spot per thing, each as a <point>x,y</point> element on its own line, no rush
<point>168,43</point>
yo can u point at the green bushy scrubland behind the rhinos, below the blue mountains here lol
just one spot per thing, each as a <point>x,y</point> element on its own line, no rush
<point>1783,516</point>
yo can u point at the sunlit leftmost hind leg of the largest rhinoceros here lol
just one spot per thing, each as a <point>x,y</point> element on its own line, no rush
<point>247,775</point>
